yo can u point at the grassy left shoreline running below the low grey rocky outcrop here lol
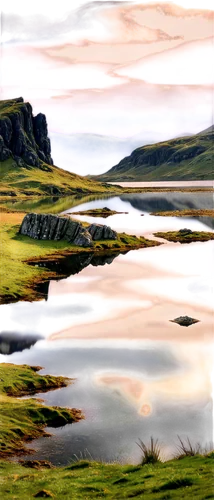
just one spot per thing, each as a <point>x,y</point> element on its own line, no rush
<point>31,282</point>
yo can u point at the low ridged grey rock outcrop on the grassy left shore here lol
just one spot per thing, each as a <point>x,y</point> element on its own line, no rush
<point>53,227</point>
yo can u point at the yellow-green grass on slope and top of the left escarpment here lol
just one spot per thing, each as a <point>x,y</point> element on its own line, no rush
<point>46,179</point>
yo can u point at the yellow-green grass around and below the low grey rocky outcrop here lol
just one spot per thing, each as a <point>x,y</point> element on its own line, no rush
<point>18,280</point>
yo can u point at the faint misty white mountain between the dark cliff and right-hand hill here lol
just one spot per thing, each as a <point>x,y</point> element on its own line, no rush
<point>92,153</point>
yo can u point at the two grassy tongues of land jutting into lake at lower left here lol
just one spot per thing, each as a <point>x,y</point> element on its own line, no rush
<point>22,419</point>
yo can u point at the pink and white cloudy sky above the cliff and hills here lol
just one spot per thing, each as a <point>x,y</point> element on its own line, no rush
<point>142,74</point>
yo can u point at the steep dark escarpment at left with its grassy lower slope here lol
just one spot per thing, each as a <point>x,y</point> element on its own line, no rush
<point>26,164</point>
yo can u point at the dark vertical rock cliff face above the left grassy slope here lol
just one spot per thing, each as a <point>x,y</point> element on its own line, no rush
<point>23,137</point>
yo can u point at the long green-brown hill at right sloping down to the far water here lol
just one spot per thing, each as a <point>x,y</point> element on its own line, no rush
<point>184,158</point>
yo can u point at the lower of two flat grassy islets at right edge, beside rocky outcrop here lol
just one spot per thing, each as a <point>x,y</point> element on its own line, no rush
<point>186,236</point>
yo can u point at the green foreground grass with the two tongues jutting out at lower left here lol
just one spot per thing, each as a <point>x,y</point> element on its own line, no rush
<point>22,419</point>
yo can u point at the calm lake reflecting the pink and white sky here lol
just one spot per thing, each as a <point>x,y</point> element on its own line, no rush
<point>145,375</point>
